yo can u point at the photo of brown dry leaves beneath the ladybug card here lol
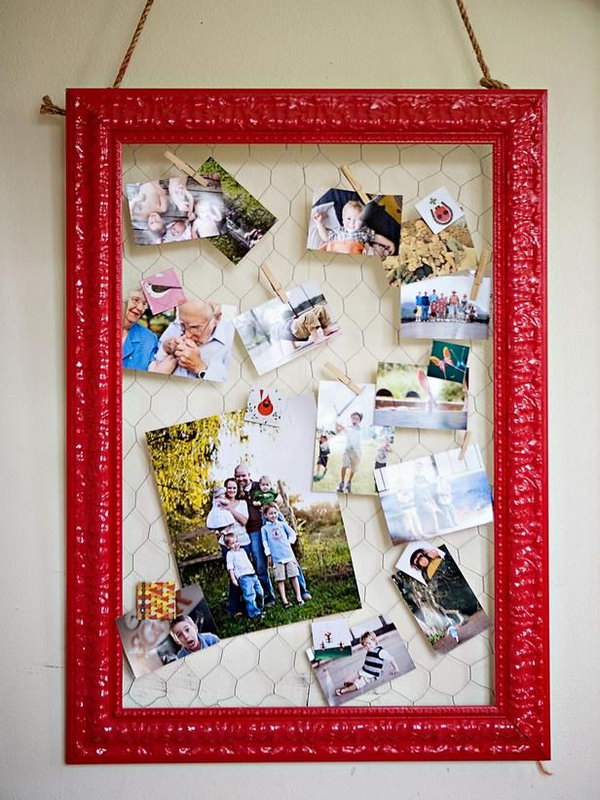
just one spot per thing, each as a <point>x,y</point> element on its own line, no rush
<point>423,254</point>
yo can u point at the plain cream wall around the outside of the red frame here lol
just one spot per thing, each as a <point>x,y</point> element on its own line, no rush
<point>50,44</point>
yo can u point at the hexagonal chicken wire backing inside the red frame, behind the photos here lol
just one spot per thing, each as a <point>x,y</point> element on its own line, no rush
<point>270,668</point>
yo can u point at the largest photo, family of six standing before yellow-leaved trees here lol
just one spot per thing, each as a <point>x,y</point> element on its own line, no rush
<point>244,523</point>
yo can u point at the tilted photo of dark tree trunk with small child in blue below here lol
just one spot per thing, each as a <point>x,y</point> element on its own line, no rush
<point>438,596</point>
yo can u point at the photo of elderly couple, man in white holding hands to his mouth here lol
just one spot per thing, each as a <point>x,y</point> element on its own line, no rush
<point>194,340</point>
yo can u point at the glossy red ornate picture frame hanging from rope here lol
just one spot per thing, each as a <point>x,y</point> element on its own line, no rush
<point>99,729</point>
